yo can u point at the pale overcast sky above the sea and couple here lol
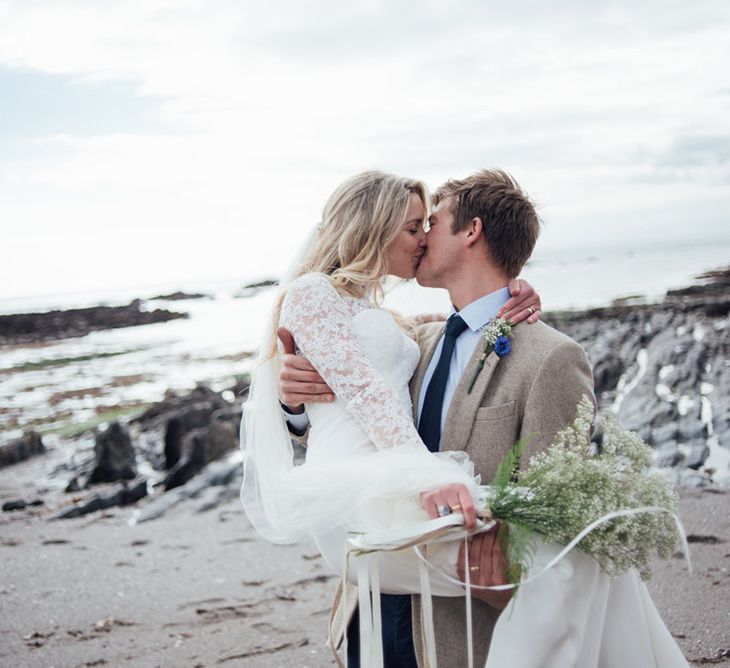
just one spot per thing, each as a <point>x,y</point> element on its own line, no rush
<point>150,141</point>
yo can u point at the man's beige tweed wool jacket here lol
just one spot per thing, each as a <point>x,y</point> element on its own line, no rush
<point>533,390</point>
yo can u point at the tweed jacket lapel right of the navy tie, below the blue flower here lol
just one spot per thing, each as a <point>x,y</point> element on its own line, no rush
<point>464,406</point>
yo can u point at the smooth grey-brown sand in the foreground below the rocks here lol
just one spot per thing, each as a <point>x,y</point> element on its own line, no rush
<point>202,589</point>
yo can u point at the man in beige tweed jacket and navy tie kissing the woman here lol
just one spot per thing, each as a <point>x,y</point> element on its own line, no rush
<point>482,231</point>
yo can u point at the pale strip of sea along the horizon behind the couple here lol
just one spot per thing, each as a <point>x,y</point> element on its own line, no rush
<point>570,278</point>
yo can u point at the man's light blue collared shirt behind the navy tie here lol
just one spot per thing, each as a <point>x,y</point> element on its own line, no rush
<point>476,315</point>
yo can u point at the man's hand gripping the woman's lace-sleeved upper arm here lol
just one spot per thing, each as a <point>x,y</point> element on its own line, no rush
<point>299,382</point>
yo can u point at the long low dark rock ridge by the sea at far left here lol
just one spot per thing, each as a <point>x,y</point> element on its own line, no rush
<point>25,328</point>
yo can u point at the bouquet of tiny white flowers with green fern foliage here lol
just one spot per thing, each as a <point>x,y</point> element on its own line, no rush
<point>568,486</point>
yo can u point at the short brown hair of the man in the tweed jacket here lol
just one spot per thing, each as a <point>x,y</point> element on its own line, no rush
<point>510,223</point>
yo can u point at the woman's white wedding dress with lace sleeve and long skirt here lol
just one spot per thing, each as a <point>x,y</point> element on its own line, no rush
<point>365,444</point>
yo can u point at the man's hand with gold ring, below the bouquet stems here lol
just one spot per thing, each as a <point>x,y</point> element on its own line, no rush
<point>487,568</point>
